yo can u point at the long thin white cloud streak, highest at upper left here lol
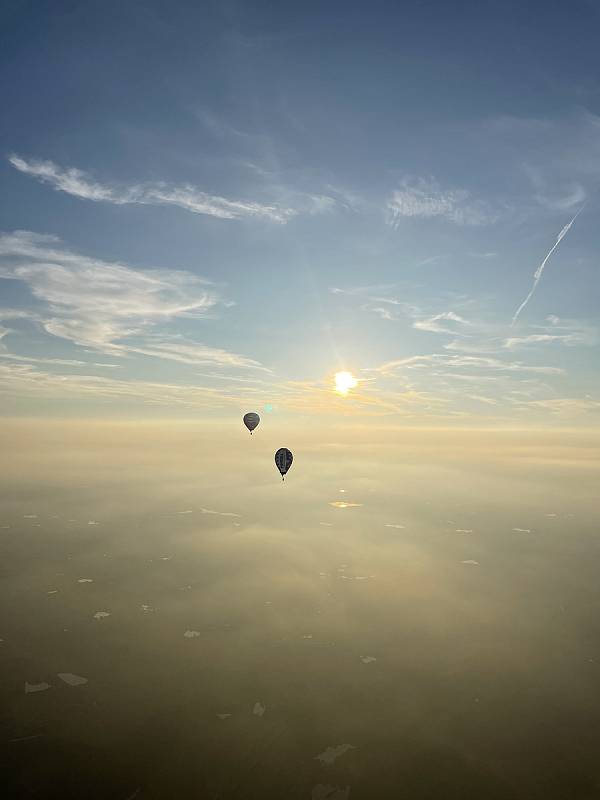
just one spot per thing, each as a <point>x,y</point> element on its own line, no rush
<point>79,184</point>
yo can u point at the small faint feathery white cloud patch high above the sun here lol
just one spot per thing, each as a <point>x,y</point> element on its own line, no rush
<point>425,199</point>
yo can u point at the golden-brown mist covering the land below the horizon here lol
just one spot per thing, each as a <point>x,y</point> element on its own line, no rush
<point>431,630</point>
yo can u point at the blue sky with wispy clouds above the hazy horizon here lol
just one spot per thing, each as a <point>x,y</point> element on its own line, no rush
<point>216,206</point>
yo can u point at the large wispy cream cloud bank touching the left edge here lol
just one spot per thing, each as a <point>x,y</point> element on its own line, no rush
<point>104,305</point>
